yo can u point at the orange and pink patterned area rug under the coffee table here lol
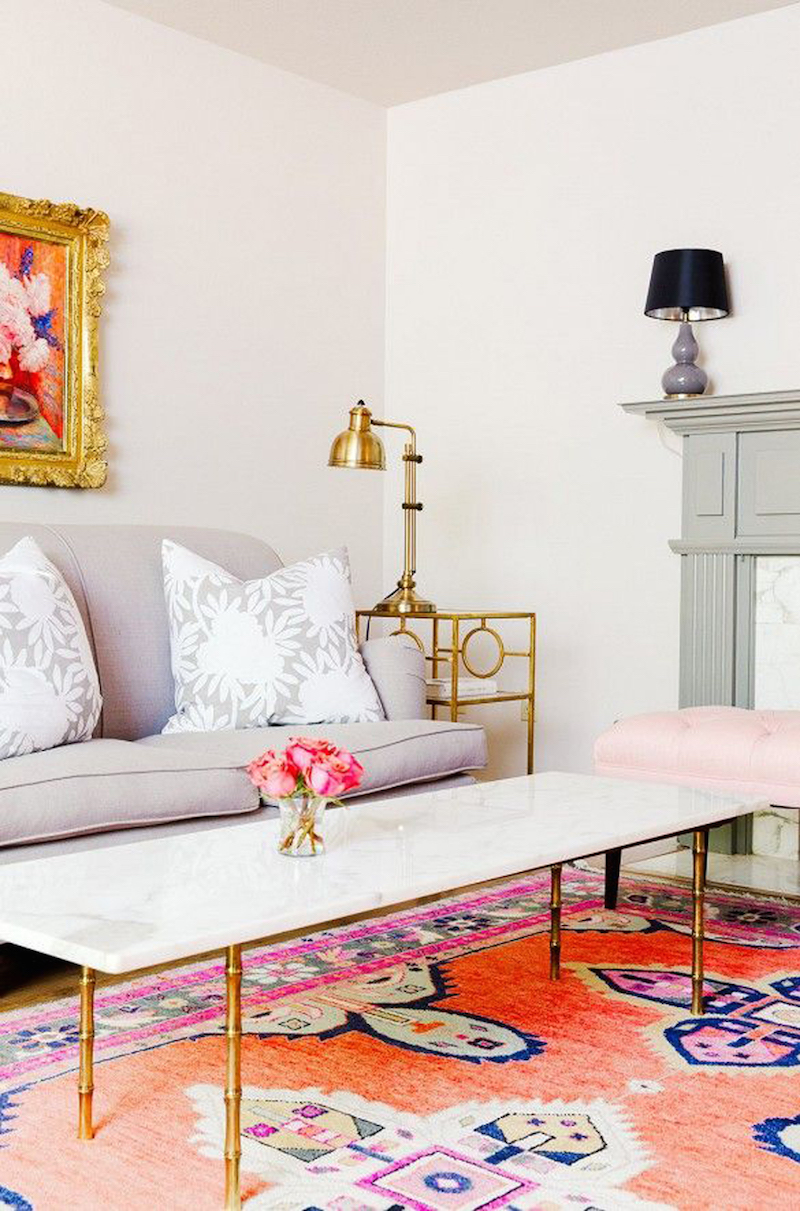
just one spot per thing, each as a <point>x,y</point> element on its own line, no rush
<point>425,1063</point>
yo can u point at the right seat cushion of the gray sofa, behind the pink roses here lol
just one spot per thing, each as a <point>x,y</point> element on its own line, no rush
<point>394,753</point>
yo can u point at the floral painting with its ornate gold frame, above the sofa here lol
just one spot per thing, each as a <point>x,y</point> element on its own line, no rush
<point>53,256</point>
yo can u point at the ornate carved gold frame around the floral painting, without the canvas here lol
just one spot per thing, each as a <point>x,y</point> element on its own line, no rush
<point>82,463</point>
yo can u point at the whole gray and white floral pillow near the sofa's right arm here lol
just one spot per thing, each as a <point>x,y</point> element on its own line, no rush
<point>281,650</point>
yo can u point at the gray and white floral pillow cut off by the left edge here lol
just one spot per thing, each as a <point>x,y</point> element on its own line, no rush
<point>49,690</point>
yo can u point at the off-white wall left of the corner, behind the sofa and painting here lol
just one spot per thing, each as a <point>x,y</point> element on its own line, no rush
<point>245,307</point>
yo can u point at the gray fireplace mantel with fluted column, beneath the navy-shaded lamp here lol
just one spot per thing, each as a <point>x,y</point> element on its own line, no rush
<point>741,500</point>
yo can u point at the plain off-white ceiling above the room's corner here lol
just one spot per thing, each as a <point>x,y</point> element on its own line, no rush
<point>393,51</point>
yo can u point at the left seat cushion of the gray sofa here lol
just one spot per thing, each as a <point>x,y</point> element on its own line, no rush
<point>113,784</point>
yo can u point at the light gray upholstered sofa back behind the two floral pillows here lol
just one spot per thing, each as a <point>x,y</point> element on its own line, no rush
<point>116,575</point>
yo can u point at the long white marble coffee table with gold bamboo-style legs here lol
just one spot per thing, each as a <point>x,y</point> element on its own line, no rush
<point>125,908</point>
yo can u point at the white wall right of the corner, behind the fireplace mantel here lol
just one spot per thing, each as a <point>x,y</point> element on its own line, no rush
<point>523,217</point>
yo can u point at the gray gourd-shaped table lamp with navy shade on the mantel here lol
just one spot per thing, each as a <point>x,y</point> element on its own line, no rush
<point>686,285</point>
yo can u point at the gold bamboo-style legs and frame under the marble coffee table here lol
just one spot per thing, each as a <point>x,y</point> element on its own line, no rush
<point>233,1095</point>
